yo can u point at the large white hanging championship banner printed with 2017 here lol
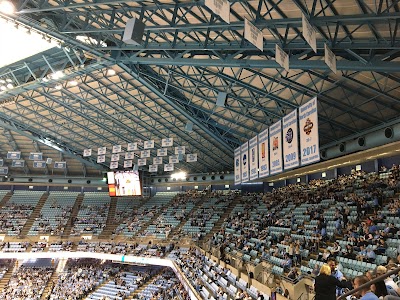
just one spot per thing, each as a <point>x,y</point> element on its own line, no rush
<point>309,138</point>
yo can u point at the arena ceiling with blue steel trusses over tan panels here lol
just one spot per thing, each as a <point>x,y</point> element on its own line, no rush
<point>187,56</point>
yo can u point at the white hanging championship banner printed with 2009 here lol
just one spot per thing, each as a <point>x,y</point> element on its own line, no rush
<point>290,141</point>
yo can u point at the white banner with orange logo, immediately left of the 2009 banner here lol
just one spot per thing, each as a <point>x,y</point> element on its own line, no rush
<point>275,150</point>
